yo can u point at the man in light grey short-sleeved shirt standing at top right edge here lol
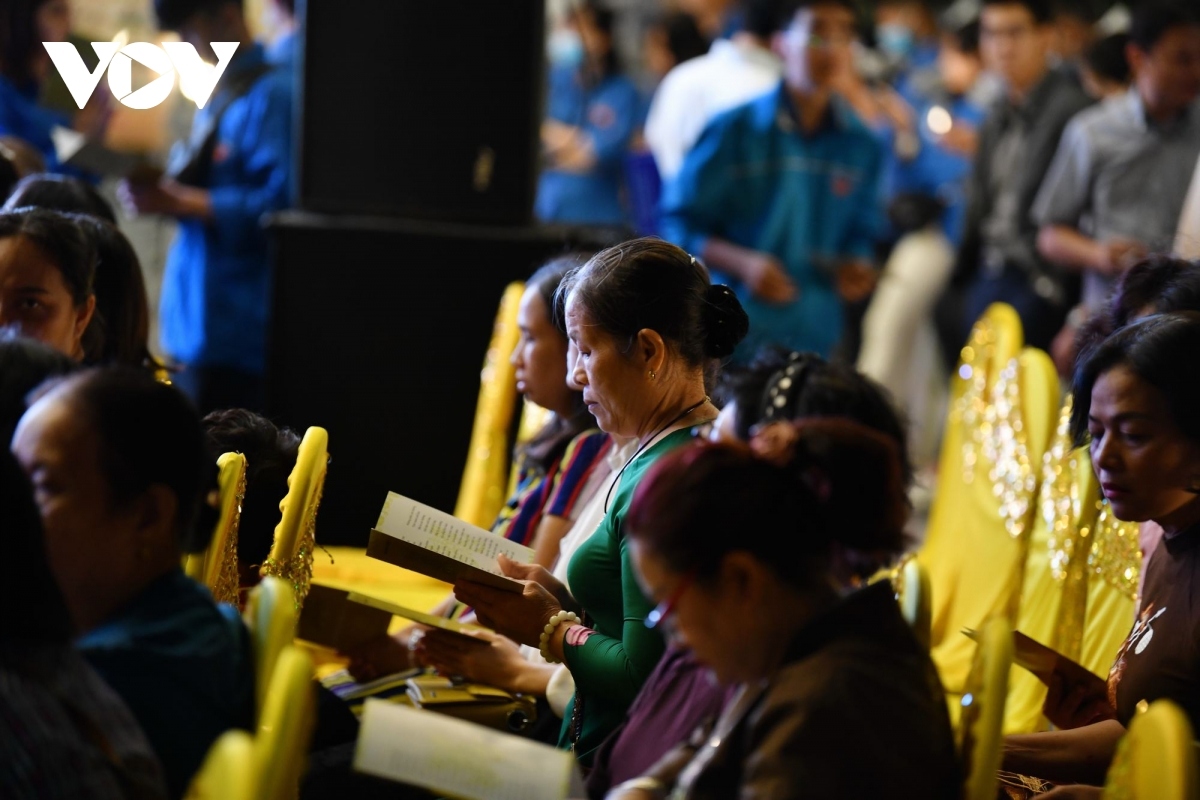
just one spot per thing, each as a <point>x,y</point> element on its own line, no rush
<point>1119,182</point>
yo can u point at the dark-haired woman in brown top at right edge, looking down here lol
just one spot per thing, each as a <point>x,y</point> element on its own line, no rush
<point>1135,405</point>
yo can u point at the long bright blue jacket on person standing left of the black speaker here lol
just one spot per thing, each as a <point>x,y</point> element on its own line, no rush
<point>215,291</point>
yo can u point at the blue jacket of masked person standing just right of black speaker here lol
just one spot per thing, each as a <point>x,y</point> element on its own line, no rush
<point>609,115</point>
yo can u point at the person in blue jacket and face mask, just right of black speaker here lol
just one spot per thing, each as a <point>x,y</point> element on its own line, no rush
<point>592,112</point>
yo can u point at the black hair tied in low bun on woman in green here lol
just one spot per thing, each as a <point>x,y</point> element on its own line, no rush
<point>649,284</point>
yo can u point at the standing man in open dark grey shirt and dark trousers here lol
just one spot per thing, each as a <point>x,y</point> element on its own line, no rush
<point>999,261</point>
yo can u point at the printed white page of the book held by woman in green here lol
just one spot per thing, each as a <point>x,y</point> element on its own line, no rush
<point>446,534</point>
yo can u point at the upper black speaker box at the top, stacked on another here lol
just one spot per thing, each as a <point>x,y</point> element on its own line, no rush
<point>422,109</point>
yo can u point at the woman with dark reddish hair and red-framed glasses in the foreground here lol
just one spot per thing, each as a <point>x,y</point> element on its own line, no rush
<point>836,697</point>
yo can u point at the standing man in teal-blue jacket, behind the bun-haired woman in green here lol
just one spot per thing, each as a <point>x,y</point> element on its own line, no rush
<point>781,196</point>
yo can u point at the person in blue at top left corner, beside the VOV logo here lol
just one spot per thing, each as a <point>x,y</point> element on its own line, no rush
<point>25,68</point>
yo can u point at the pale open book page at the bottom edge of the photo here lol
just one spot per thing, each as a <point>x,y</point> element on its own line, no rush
<point>460,759</point>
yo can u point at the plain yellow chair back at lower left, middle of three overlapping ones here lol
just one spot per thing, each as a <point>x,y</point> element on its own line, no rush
<point>285,727</point>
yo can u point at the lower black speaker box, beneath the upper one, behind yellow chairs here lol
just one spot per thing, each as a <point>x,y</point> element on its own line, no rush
<point>379,332</point>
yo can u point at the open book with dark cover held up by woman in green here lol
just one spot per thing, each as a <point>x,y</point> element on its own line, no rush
<point>422,539</point>
